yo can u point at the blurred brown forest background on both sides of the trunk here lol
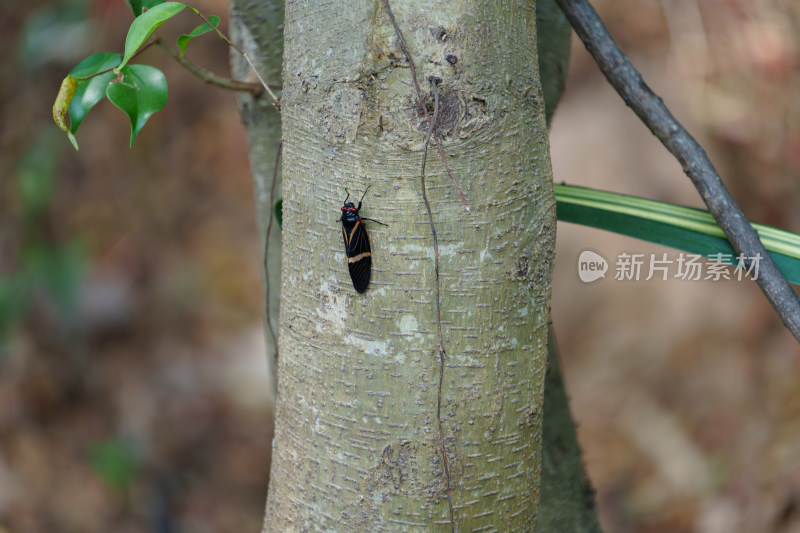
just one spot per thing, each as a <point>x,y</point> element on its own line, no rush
<point>134,390</point>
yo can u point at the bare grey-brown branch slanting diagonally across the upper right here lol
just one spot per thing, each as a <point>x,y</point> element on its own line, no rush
<point>651,110</point>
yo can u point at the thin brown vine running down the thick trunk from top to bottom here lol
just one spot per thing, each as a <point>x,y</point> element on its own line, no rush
<point>431,124</point>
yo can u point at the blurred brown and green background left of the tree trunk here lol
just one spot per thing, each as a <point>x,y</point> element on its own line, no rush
<point>147,408</point>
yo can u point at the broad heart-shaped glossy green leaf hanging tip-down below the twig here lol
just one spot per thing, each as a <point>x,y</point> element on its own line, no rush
<point>141,92</point>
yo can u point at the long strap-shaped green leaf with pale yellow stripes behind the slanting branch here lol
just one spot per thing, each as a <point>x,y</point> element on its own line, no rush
<point>684,228</point>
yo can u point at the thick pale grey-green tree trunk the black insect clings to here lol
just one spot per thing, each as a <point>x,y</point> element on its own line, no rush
<point>357,443</point>
